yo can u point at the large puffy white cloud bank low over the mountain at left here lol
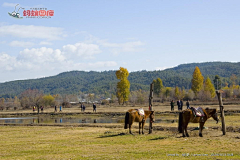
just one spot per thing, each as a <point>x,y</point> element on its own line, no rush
<point>48,59</point>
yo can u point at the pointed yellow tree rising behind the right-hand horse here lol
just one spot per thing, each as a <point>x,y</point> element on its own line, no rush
<point>197,80</point>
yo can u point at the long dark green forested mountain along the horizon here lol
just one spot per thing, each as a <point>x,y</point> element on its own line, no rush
<point>102,82</point>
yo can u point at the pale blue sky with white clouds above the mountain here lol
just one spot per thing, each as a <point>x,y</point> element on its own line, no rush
<point>104,35</point>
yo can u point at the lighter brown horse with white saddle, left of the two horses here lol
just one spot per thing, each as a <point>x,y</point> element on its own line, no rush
<point>132,115</point>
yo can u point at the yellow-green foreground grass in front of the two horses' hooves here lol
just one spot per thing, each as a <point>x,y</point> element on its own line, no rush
<point>103,143</point>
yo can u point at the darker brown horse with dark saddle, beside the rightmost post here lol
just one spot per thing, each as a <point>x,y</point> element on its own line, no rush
<point>188,116</point>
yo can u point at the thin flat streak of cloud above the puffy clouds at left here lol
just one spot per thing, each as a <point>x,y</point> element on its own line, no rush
<point>31,31</point>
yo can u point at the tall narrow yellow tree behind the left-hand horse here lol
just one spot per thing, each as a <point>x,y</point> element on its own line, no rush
<point>123,86</point>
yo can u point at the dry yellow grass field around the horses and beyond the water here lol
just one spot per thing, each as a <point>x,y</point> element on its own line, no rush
<point>111,141</point>
